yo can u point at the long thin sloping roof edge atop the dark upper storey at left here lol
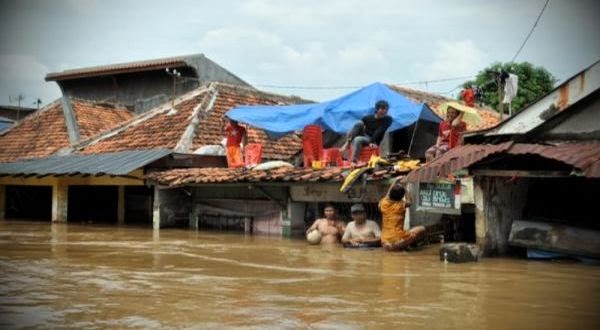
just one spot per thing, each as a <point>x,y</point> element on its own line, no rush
<point>120,67</point>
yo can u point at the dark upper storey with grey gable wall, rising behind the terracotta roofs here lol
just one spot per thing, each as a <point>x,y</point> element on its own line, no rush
<point>142,85</point>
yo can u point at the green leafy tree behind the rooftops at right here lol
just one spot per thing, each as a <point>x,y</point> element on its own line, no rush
<point>534,82</point>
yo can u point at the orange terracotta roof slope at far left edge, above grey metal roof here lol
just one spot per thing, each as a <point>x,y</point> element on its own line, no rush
<point>40,134</point>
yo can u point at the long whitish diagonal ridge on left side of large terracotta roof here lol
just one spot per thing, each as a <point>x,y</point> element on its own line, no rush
<point>168,106</point>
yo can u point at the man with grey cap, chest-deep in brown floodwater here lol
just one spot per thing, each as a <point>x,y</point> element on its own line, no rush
<point>360,231</point>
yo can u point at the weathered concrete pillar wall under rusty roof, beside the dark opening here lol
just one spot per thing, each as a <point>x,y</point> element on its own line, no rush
<point>498,201</point>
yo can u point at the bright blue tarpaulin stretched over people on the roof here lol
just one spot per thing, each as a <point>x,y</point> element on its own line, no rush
<point>338,115</point>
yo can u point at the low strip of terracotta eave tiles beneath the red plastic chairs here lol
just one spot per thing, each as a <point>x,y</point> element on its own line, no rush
<point>191,176</point>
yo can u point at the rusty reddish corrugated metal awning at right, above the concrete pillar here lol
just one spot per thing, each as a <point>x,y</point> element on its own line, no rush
<point>582,156</point>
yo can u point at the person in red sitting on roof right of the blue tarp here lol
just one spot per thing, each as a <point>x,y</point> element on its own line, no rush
<point>448,134</point>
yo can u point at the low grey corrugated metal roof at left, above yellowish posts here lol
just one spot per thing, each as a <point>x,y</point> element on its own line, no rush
<point>114,163</point>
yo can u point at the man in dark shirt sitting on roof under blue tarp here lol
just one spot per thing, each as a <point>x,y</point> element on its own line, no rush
<point>368,131</point>
